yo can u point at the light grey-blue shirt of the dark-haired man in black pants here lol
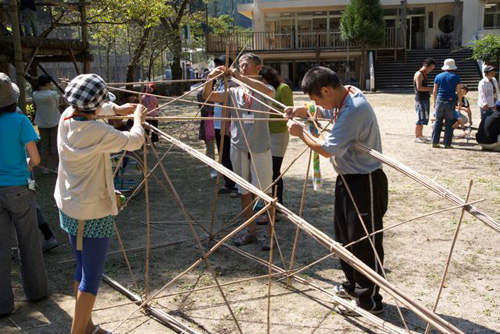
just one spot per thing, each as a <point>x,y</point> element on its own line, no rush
<point>356,122</point>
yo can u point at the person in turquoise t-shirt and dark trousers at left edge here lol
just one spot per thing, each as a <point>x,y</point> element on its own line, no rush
<point>17,200</point>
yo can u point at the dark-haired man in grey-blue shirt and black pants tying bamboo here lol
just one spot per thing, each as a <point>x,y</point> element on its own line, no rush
<point>354,122</point>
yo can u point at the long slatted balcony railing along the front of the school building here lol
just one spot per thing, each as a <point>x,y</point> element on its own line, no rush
<point>294,41</point>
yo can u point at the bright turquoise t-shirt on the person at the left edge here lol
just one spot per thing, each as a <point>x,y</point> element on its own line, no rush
<point>15,132</point>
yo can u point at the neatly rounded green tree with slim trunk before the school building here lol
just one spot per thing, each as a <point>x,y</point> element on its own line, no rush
<point>362,22</point>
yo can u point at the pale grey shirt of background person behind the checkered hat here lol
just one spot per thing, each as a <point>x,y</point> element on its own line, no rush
<point>47,108</point>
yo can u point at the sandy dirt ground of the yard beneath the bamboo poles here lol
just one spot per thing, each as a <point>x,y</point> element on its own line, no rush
<point>415,253</point>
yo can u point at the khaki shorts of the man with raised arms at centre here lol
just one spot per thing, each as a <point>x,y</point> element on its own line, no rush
<point>261,176</point>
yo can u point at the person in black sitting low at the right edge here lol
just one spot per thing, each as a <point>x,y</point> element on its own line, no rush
<point>488,135</point>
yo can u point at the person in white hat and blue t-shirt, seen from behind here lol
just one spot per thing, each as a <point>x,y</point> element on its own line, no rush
<point>445,93</point>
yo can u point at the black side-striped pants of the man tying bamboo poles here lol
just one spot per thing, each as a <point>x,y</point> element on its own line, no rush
<point>370,194</point>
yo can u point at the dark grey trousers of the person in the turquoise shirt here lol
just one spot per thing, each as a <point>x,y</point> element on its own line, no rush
<point>17,209</point>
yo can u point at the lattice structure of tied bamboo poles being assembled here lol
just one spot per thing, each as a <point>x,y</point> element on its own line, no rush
<point>302,226</point>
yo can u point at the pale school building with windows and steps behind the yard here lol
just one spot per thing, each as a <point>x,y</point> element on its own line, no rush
<point>294,35</point>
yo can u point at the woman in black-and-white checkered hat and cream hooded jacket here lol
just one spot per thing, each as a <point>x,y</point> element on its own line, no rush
<point>84,191</point>
